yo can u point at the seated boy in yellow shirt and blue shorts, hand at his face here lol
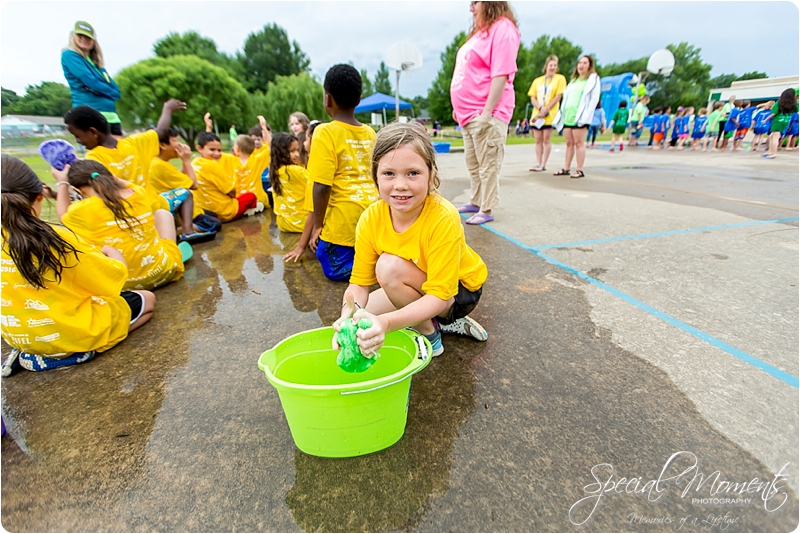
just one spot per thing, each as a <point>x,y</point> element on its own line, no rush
<point>173,184</point>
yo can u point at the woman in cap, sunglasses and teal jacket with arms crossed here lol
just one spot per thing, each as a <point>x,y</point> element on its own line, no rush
<point>89,83</point>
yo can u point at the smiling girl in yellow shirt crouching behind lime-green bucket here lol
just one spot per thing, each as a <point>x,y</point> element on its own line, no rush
<point>411,242</point>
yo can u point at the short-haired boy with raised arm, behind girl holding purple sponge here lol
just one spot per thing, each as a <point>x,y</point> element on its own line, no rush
<point>127,158</point>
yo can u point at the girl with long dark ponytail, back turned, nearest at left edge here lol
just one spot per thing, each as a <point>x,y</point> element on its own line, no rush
<point>61,299</point>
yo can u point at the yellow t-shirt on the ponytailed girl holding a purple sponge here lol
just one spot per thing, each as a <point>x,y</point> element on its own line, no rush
<point>152,262</point>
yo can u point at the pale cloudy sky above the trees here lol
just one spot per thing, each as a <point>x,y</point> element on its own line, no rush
<point>735,37</point>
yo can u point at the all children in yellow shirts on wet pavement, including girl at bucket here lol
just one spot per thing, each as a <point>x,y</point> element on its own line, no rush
<point>71,291</point>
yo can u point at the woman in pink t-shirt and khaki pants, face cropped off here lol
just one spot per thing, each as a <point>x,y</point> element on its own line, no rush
<point>482,94</point>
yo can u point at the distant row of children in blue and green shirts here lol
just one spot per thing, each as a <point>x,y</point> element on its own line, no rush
<point>726,122</point>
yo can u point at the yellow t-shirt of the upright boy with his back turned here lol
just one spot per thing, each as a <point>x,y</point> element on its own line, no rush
<point>340,158</point>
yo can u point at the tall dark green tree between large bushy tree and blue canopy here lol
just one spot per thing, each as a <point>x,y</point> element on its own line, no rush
<point>268,54</point>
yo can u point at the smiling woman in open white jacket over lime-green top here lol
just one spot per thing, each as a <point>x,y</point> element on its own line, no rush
<point>580,100</point>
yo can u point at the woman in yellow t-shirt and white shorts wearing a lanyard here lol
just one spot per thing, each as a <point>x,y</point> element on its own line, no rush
<point>545,93</point>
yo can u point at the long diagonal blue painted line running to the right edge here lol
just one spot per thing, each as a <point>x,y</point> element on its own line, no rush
<point>711,340</point>
